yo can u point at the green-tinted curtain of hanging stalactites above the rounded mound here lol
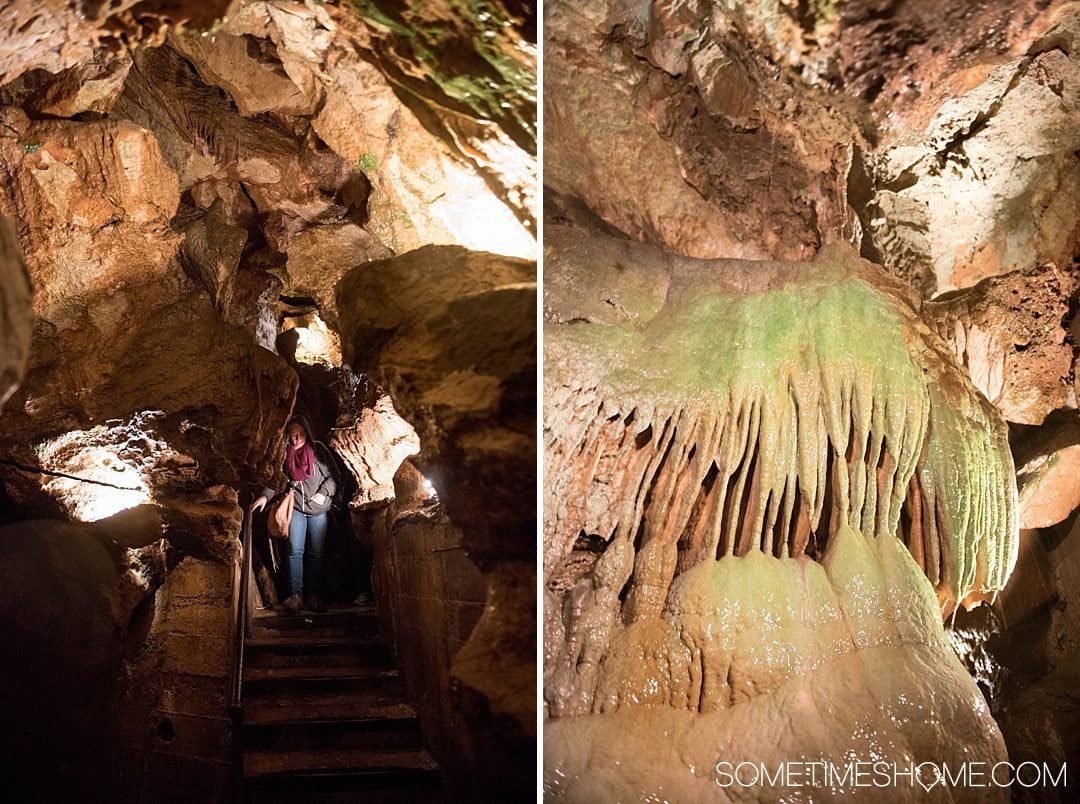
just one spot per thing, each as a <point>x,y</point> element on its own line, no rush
<point>826,404</point>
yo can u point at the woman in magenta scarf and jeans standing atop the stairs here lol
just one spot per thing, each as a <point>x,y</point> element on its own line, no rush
<point>313,476</point>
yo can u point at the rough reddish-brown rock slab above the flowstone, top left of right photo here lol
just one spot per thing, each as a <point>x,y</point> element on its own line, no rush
<point>700,159</point>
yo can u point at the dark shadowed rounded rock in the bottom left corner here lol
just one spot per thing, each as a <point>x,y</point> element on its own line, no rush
<point>62,596</point>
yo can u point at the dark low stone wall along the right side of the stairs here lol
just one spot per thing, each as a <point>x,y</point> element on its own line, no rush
<point>463,672</point>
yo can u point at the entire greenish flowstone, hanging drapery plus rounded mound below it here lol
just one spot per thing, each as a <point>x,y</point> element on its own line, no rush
<point>764,483</point>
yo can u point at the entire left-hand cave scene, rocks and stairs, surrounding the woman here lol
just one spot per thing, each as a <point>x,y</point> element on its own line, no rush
<point>215,216</point>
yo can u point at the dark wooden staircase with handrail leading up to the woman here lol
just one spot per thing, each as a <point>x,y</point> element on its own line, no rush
<point>326,717</point>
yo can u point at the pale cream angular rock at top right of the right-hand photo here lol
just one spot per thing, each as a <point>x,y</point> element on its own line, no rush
<point>1002,153</point>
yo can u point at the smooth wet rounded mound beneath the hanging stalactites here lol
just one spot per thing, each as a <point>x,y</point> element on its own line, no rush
<point>838,638</point>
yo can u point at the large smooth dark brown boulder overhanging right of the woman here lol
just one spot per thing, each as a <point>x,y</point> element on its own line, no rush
<point>447,332</point>
